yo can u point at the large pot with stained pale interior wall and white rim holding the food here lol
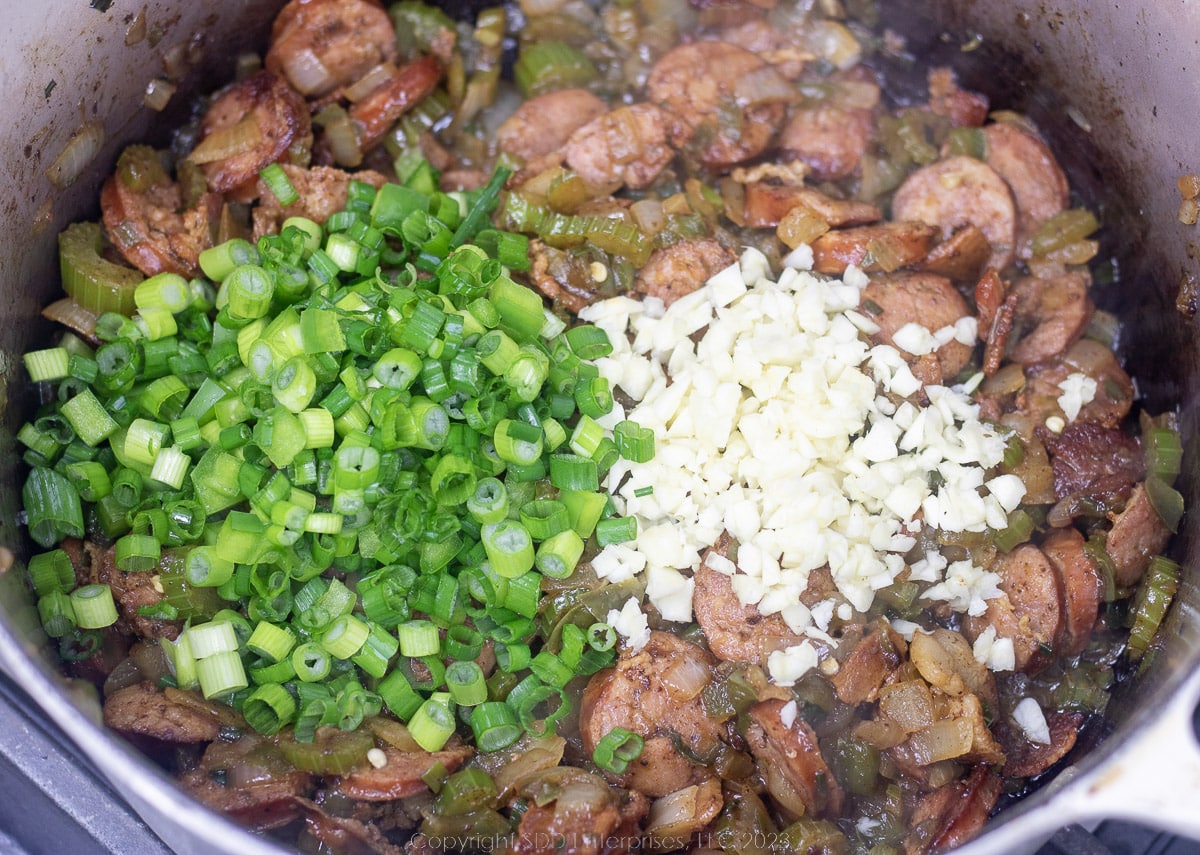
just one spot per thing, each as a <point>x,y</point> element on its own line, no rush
<point>1112,85</point>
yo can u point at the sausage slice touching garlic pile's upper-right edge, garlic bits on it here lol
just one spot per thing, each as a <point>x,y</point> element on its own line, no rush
<point>925,300</point>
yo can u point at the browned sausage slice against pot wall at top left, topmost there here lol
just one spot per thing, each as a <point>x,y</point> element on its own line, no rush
<point>322,45</point>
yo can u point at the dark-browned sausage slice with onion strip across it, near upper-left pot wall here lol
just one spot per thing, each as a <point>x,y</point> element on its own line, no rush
<point>278,116</point>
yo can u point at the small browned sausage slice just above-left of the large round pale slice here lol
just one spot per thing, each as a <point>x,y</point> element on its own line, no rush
<point>831,141</point>
